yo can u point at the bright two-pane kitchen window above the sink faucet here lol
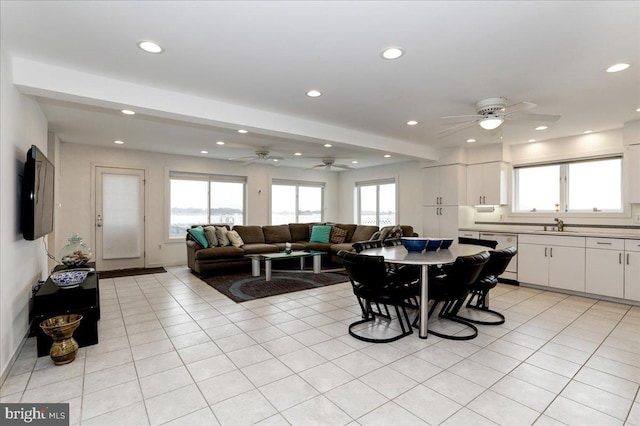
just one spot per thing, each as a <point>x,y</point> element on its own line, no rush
<point>573,187</point>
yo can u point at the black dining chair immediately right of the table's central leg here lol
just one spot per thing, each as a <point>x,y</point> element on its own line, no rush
<point>453,286</point>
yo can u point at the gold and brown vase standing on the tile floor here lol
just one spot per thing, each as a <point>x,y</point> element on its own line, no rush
<point>60,329</point>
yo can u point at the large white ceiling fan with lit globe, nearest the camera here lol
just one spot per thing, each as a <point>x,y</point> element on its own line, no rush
<point>491,113</point>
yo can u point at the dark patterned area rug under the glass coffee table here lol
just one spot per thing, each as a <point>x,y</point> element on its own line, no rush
<point>241,286</point>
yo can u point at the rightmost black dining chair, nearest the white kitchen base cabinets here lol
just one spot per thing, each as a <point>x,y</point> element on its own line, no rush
<point>479,291</point>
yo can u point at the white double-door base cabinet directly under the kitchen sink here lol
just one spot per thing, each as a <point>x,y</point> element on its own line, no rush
<point>554,261</point>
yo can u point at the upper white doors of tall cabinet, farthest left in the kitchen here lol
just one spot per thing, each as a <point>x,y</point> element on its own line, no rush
<point>444,185</point>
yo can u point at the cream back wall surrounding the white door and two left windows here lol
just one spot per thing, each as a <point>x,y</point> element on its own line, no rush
<point>77,192</point>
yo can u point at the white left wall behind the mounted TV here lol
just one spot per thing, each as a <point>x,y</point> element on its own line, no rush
<point>22,263</point>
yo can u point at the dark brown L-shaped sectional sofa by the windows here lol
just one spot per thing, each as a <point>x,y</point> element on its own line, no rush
<point>272,239</point>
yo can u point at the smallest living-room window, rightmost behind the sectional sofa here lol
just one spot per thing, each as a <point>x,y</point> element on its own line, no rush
<point>376,202</point>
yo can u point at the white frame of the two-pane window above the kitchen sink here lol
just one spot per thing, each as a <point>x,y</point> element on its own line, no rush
<point>564,189</point>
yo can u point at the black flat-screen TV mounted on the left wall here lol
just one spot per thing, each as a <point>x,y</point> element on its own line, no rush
<point>37,195</point>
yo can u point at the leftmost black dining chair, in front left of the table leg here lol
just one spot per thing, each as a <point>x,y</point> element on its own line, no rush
<point>374,286</point>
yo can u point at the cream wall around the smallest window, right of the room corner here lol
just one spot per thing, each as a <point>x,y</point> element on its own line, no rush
<point>409,187</point>
